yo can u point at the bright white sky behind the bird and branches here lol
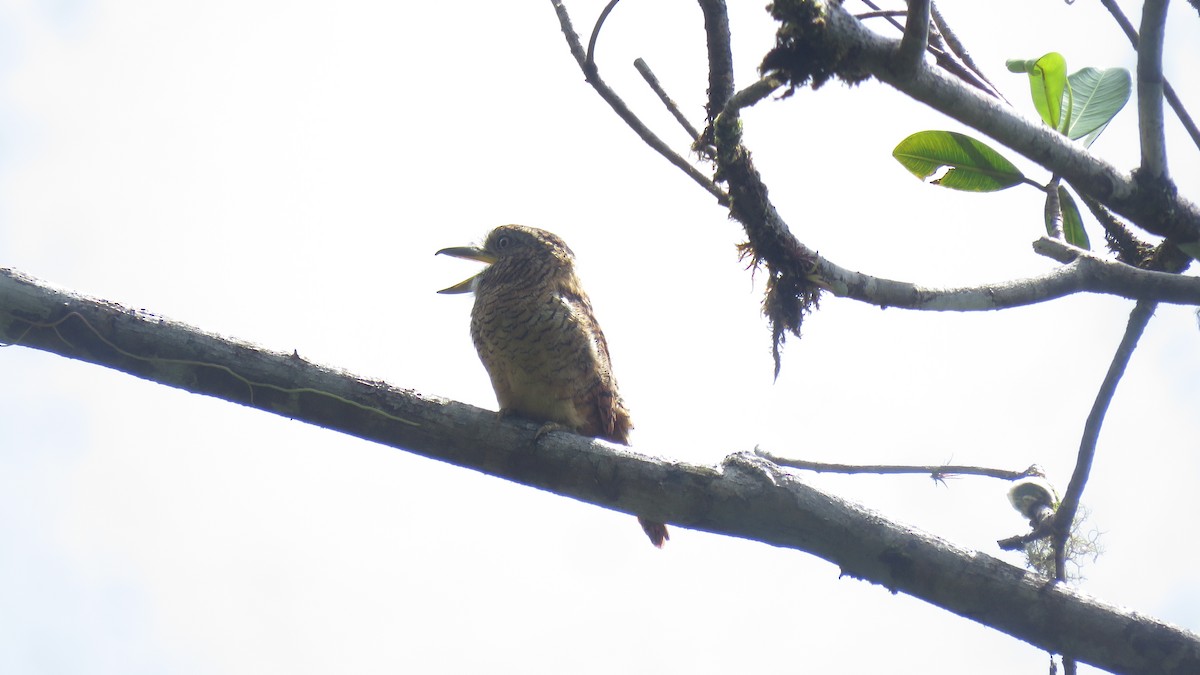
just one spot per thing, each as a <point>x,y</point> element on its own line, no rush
<point>284,174</point>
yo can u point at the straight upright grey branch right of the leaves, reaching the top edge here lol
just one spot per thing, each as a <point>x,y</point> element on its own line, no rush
<point>1150,89</point>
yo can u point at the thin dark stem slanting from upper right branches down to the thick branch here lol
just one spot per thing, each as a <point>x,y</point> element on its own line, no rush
<point>1139,319</point>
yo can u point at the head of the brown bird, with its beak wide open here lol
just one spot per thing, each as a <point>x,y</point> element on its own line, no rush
<point>515,255</point>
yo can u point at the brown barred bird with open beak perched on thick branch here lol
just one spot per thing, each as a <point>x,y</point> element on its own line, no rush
<point>536,333</point>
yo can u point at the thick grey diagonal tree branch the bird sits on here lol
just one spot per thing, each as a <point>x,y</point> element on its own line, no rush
<point>746,497</point>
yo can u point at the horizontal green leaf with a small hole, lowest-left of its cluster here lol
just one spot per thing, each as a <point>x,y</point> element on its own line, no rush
<point>974,166</point>
